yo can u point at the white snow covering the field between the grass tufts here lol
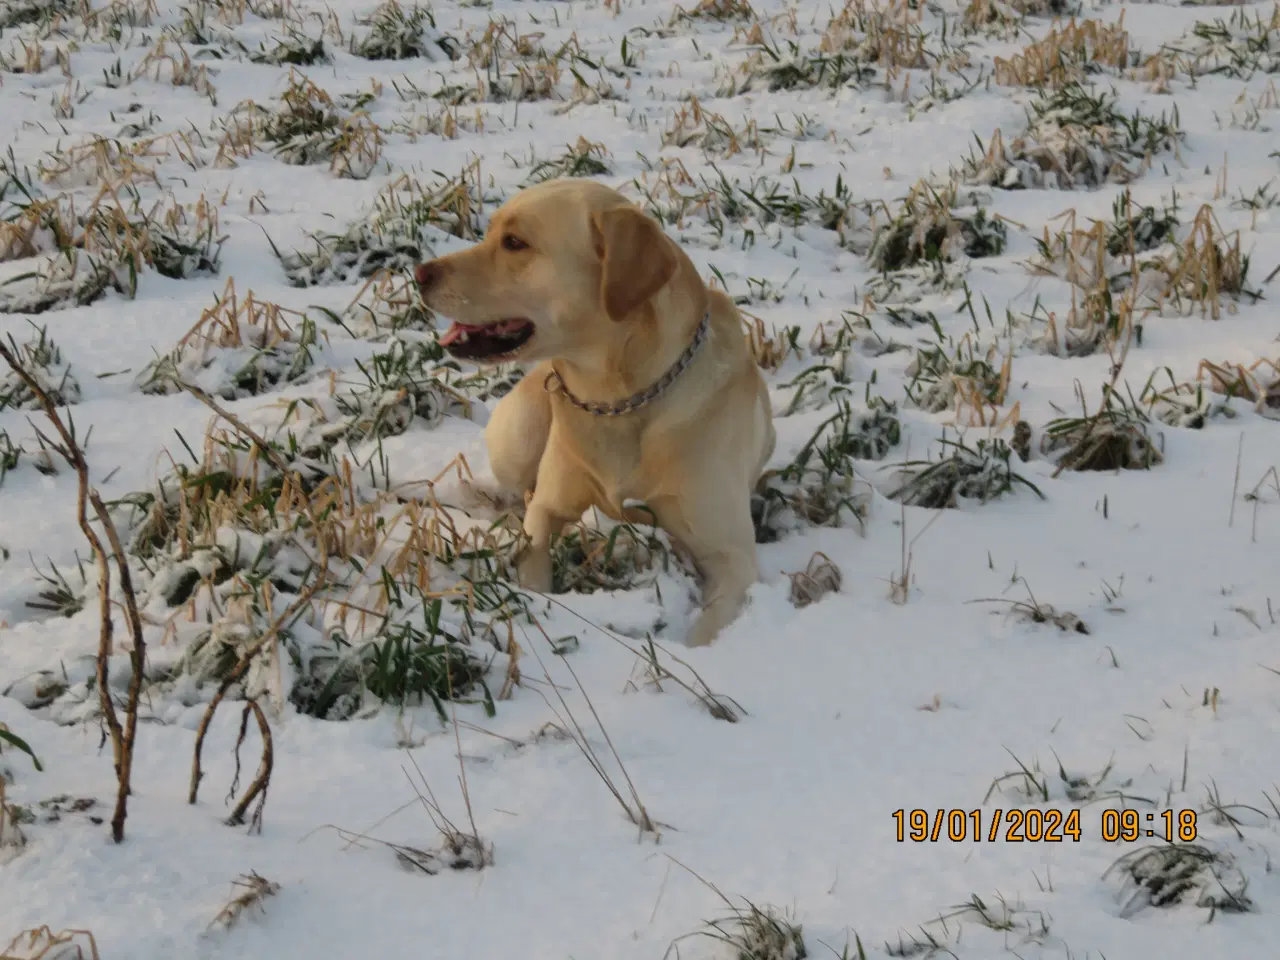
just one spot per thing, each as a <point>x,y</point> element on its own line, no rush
<point>857,706</point>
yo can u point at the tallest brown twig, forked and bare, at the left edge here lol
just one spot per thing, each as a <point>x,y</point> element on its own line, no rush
<point>122,737</point>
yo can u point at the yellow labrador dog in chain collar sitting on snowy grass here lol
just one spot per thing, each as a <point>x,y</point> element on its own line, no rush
<point>644,388</point>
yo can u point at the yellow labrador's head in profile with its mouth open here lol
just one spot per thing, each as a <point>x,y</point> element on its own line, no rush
<point>563,266</point>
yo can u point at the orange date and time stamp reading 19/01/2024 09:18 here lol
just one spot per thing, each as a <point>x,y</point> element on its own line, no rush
<point>1035,826</point>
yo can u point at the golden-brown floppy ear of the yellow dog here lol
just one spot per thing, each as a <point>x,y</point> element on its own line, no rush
<point>638,259</point>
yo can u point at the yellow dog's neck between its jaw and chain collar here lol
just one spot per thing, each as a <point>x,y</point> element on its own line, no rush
<point>655,350</point>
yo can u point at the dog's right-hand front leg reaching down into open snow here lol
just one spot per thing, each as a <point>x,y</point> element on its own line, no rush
<point>716,529</point>
